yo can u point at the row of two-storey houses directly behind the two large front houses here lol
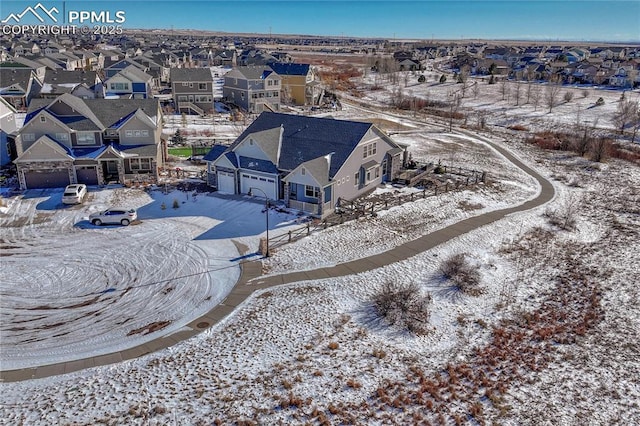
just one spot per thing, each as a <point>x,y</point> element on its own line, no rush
<point>192,90</point>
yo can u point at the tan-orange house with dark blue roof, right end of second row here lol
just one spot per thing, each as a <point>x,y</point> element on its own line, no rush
<point>298,83</point>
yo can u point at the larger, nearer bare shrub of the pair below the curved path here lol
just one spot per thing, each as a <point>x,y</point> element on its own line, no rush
<point>403,306</point>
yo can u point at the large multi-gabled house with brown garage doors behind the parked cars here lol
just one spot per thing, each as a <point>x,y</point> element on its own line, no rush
<point>92,141</point>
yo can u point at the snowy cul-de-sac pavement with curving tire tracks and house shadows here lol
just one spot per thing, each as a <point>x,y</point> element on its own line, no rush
<point>72,290</point>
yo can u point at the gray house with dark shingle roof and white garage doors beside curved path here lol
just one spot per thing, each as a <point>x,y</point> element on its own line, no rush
<point>308,163</point>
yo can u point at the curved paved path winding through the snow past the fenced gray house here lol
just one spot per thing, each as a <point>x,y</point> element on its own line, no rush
<point>251,272</point>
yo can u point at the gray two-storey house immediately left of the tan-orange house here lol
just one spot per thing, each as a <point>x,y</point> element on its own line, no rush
<point>253,89</point>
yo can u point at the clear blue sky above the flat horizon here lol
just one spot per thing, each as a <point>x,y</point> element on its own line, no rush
<point>424,20</point>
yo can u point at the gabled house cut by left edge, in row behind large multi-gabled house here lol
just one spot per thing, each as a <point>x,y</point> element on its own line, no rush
<point>18,86</point>
